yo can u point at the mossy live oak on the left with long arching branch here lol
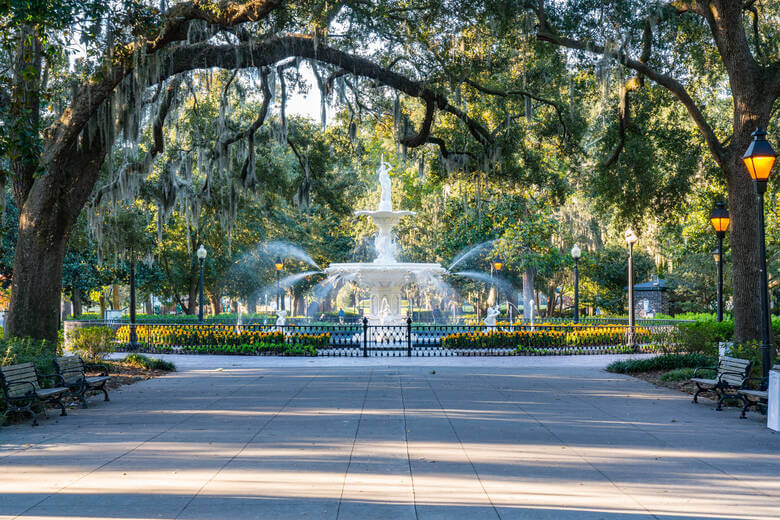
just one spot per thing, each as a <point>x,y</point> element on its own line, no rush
<point>59,134</point>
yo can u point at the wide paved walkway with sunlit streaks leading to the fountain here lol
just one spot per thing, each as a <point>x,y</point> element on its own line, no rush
<point>500,438</point>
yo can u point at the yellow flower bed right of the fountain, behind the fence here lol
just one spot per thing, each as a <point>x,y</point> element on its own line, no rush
<point>546,336</point>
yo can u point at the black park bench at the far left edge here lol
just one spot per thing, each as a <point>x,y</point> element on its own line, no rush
<point>22,389</point>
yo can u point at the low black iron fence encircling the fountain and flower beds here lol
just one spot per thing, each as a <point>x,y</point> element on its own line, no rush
<point>409,339</point>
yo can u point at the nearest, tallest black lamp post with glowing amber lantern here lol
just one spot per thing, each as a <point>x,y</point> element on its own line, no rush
<point>759,159</point>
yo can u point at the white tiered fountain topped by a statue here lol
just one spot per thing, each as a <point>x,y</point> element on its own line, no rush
<point>384,277</point>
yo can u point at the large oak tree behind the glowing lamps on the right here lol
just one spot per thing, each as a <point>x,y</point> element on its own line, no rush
<point>703,52</point>
